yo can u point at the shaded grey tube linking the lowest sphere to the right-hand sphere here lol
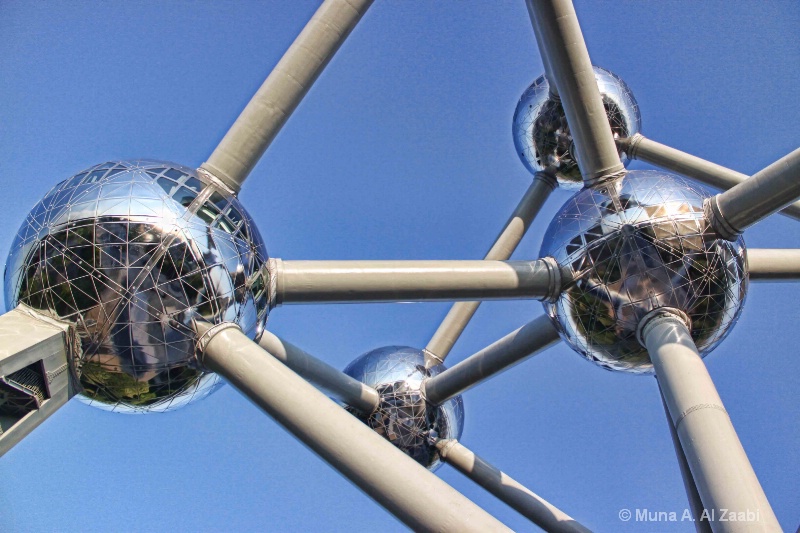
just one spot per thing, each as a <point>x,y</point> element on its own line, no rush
<point>527,341</point>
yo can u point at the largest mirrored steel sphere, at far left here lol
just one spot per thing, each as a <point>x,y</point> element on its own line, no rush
<point>131,252</point>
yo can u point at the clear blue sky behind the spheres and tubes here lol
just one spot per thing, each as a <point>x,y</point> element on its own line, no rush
<point>402,150</point>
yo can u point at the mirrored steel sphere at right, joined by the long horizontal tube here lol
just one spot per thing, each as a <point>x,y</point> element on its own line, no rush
<point>635,244</point>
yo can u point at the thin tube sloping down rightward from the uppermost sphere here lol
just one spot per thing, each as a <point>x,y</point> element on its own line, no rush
<point>644,149</point>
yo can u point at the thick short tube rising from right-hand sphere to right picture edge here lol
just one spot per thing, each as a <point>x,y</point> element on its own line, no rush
<point>768,191</point>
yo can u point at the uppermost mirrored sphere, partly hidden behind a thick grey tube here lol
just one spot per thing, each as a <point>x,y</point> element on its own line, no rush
<point>541,134</point>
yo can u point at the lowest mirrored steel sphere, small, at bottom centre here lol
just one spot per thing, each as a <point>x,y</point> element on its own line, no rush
<point>404,417</point>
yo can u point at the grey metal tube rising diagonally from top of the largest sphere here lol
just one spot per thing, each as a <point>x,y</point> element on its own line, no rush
<point>287,84</point>
